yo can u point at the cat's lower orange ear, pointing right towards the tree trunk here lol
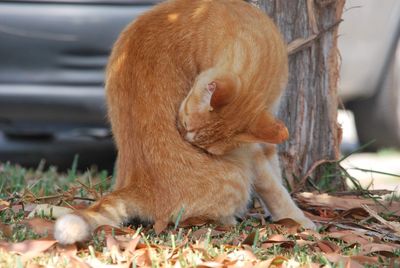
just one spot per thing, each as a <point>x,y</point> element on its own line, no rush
<point>265,129</point>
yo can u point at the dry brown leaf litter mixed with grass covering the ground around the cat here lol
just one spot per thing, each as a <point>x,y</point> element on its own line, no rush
<point>353,232</point>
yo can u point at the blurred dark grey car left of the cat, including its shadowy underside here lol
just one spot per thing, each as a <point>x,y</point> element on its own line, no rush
<point>52,59</point>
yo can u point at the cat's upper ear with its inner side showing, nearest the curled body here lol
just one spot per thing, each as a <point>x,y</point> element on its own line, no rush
<point>220,92</point>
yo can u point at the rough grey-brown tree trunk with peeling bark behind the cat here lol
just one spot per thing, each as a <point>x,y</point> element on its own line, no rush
<point>309,106</point>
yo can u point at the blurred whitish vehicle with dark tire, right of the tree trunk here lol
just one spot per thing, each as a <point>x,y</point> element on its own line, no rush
<point>370,70</point>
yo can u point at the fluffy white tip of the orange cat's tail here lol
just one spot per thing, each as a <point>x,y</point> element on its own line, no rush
<point>71,228</point>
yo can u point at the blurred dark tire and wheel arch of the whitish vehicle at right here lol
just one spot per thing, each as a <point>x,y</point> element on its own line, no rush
<point>378,117</point>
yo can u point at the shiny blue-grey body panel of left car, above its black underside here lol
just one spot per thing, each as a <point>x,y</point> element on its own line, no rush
<point>53,55</point>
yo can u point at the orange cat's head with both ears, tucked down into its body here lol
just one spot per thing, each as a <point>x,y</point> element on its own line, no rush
<point>213,118</point>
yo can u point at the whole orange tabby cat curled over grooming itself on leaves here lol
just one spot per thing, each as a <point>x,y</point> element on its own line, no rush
<point>233,51</point>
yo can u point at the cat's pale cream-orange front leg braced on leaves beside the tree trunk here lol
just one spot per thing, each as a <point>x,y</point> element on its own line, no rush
<point>269,187</point>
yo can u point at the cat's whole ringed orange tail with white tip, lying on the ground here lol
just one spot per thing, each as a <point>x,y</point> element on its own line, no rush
<point>112,210</point>
